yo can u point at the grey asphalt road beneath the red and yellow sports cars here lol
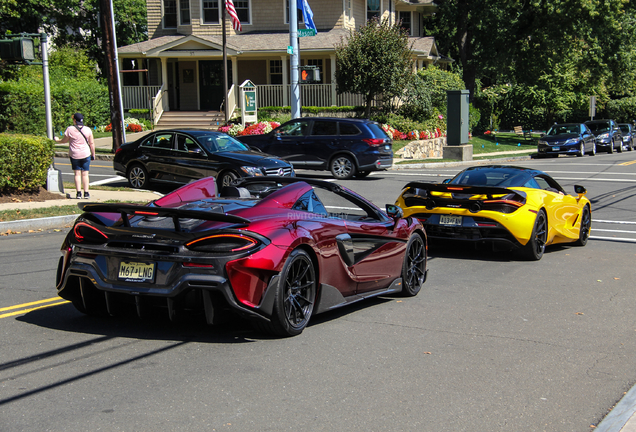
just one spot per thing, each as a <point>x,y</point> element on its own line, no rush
<point>490,343</point>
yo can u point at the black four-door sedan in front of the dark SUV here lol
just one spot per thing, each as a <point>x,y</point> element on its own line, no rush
<point>180,156</point>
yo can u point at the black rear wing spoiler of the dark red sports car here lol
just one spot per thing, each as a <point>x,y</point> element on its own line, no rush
<point>128,210</point>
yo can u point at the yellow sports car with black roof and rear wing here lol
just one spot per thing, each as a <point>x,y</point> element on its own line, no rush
<point>520,208</point>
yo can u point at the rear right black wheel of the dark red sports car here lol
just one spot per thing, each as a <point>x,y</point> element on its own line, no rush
<point>295,296</point>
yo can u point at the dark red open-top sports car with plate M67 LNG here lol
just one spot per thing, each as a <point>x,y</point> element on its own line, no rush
<point>276,251</point>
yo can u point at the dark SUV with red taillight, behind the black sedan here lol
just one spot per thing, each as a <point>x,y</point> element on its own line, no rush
<point>346,147</point>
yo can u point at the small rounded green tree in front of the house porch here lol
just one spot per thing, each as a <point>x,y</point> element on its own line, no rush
<point>374,60</point>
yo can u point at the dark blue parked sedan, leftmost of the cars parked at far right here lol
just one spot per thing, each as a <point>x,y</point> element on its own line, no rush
<point>567,138</point>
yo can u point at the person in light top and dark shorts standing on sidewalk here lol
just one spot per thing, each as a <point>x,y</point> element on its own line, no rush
<point>81,150</point>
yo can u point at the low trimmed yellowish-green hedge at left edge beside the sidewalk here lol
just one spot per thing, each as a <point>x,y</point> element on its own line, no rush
<point>24,161</point>
